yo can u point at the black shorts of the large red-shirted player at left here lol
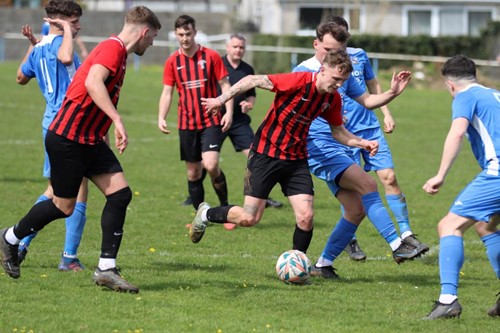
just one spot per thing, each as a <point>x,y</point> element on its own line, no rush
<point>70,161</point>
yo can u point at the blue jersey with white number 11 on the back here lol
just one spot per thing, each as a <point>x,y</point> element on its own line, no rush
<point>53,77</point>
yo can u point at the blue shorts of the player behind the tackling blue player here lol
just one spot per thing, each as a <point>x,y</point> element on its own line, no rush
<point>382,159</point>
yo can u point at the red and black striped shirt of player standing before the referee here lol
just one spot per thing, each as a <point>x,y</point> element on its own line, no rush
<point>195,77</point>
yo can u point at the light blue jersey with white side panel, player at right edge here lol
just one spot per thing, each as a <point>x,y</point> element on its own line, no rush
<point>481,107</point>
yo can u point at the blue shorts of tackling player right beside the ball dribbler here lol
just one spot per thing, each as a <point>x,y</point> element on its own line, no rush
<point>328,162</point>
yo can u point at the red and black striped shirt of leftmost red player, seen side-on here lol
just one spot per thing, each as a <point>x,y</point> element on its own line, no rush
<point>79,119</point>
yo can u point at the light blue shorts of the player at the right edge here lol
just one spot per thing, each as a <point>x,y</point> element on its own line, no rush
<point>480,199</point>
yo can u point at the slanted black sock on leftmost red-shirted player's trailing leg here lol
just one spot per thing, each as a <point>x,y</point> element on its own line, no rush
<point>37,218</point>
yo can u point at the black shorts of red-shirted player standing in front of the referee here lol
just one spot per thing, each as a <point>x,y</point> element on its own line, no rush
<point>195,142</point>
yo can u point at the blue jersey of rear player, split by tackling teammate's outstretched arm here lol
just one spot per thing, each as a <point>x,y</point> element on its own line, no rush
<point>358,117</point>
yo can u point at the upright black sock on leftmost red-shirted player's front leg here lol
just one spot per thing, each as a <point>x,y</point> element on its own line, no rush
<point>112,221</point>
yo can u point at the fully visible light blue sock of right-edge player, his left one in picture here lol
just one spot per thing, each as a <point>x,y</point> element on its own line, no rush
<point>451,260</point>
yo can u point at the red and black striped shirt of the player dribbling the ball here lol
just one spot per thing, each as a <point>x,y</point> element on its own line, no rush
<point>296,104</point>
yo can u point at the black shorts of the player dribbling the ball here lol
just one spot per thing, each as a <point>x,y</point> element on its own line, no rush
<point>263,172</point>
